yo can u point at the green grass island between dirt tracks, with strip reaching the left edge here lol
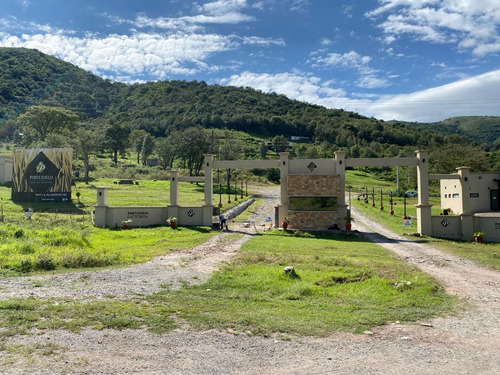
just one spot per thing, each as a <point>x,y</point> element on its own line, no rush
<point>341,284</point>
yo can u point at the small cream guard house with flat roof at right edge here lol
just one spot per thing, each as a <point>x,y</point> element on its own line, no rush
<point>470,193</point>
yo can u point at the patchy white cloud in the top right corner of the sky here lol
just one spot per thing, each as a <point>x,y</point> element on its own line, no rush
<point>470,24</point>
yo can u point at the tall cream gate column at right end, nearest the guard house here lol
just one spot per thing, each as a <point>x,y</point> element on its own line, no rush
<point>424,224</point>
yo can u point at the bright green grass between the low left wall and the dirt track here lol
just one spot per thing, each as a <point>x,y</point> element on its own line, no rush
<point>32,248</point>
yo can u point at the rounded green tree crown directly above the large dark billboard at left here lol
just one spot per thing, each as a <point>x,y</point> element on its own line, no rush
<point>38,122</point>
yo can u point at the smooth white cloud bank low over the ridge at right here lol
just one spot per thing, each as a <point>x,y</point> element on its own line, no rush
<point>430,105</point>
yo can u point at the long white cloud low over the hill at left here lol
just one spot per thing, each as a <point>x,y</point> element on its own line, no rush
<point>136,55</point>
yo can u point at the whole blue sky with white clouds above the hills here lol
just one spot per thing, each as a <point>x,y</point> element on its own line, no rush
<point>412,60</point>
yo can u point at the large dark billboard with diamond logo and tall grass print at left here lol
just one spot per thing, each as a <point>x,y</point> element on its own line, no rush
<point>42,175</point>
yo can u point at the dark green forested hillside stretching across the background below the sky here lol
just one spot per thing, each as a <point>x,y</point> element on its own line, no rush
<point>29,78</point>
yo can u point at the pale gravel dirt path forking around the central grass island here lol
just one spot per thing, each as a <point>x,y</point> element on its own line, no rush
<point>467,344</point>
